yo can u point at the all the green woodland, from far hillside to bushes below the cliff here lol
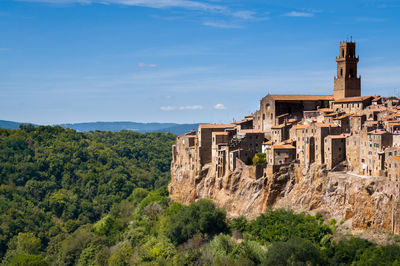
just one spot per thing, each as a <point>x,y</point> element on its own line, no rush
<point>101,198</point>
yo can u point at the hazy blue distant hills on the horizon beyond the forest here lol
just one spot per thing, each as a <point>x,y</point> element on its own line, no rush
<point>174,128</point>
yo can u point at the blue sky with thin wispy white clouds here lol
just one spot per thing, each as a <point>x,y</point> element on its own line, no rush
<point>183,61</point>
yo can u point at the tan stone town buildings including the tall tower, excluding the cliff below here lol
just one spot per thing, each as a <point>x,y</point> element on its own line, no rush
<point>344,131</point>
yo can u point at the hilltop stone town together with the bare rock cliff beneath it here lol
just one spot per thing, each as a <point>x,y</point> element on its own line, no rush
<point>315,151</point>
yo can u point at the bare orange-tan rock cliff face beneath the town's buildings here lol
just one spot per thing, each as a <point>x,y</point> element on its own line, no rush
<point>369,203</point>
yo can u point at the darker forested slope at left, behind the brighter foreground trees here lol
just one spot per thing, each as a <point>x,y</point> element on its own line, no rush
<point>54,180</point>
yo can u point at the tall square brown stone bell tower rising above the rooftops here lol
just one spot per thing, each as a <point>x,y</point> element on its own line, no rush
<point>347,84</point>
